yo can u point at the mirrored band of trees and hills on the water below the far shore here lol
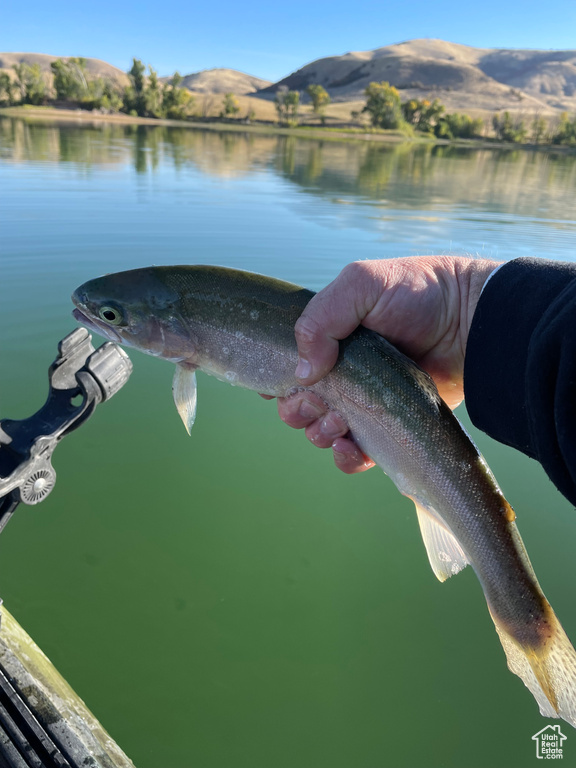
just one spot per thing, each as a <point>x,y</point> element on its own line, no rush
<point>511,181</point>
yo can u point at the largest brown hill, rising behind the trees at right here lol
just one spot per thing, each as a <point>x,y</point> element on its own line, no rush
<point>462,77</point>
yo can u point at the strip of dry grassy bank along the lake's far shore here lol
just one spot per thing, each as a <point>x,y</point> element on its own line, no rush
<point>53,114</point>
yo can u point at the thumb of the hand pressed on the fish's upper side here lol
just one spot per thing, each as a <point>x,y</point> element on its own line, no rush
<point>331,315</point>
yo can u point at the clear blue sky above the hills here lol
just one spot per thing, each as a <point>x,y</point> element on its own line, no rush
<point>271,39</point>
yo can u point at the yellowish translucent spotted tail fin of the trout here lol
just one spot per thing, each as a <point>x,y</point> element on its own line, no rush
<point>548,671</point>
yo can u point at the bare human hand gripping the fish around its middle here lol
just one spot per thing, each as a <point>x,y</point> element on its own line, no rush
<point>422,304</point>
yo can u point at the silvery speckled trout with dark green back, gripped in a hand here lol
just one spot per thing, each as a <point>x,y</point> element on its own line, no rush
<point>239,327</point>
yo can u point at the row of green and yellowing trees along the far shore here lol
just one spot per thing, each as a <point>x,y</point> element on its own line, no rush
<point>147,96</point>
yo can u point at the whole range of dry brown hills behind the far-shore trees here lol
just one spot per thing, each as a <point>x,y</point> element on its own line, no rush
<point>473,80</point>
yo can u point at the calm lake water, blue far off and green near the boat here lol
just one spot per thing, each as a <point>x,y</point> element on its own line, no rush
<point>229,599</point>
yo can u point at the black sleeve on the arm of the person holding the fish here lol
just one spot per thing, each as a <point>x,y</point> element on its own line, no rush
<point>520,366</point>
